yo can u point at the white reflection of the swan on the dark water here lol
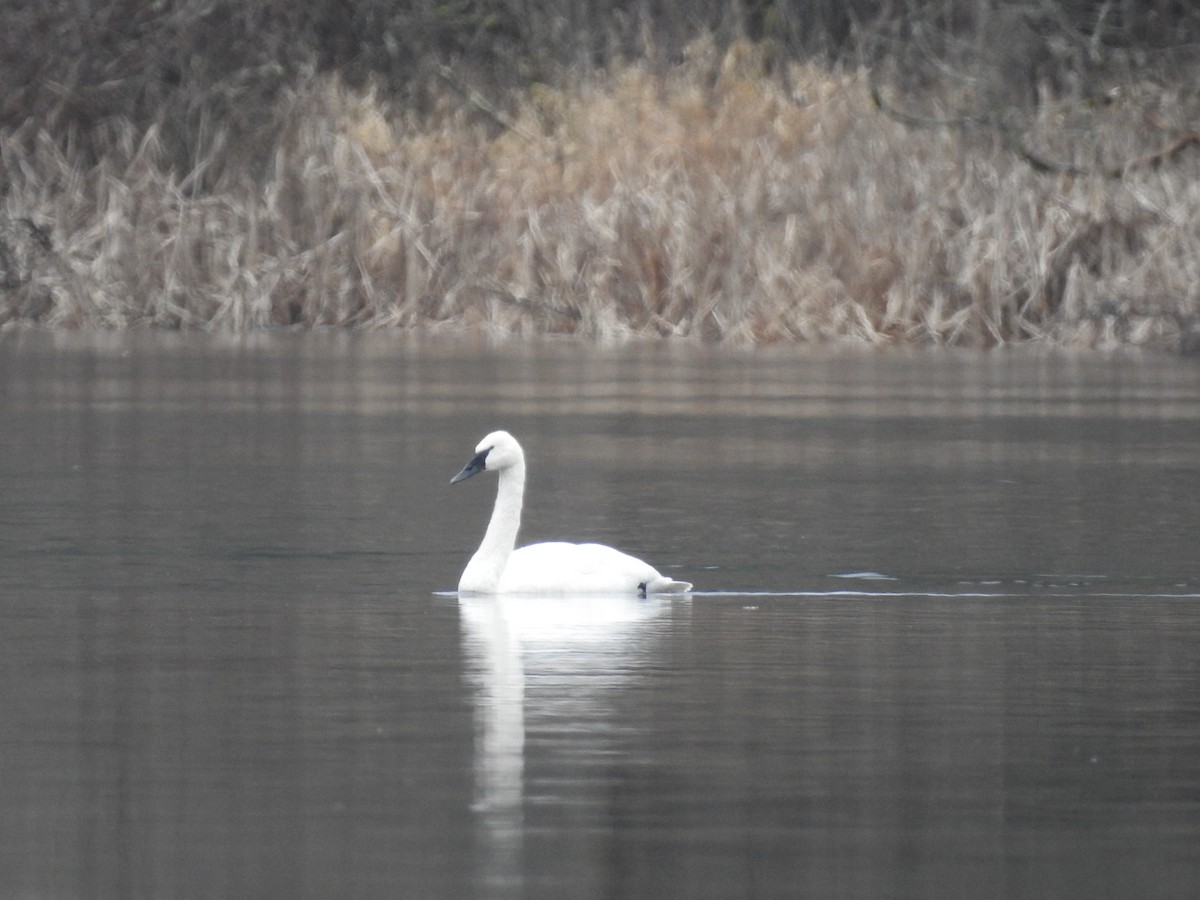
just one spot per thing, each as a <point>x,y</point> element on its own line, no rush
<point>541,659</point>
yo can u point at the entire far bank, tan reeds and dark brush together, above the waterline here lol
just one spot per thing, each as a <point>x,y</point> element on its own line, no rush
<point>951,171</point>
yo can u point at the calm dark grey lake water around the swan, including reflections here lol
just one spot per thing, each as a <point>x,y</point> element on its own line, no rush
<point>945,640</point>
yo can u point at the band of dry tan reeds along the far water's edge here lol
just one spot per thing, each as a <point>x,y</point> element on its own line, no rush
<point>709,202</point>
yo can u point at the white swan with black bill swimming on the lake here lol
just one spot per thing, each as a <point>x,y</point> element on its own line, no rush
<point>551,568</point>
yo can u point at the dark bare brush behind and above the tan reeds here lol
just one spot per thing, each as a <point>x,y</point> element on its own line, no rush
<point>212,71</point>
